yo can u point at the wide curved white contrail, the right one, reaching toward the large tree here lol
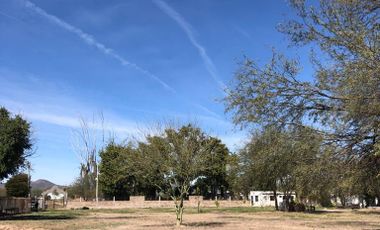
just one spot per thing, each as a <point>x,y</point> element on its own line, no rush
<point>186,27</point>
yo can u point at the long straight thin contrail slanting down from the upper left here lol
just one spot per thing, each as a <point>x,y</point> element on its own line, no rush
<point>90,40</point>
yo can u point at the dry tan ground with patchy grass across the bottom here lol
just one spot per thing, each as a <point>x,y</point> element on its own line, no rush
<point>210,219</point>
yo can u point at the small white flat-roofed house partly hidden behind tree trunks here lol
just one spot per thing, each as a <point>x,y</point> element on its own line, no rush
<point>266,198</point>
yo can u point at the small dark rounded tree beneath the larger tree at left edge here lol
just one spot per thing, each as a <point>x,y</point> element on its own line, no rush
<point>18,185</point>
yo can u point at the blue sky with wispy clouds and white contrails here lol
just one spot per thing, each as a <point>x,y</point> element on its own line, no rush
<point>137,62</point>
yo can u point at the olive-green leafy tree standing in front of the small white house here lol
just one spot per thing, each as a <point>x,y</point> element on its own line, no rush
<point>287,161</point>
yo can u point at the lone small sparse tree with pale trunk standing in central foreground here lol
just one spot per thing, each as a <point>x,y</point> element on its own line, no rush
<point>172,160</point>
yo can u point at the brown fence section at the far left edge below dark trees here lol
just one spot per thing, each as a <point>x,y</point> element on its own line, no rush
<point>14,205</point>
